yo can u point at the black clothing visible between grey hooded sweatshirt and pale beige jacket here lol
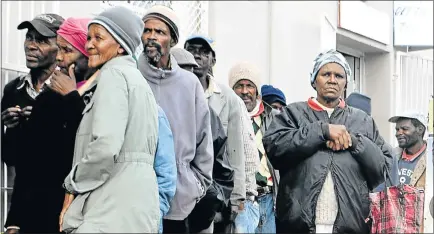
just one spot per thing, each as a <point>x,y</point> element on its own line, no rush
<point>218,194</point>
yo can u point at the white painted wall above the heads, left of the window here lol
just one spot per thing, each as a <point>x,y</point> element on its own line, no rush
<point>281,37</point>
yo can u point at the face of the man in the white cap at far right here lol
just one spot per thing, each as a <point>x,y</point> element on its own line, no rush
<point>407,134</point>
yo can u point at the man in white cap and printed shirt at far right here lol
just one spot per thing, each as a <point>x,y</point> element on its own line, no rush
<point>410,130</point>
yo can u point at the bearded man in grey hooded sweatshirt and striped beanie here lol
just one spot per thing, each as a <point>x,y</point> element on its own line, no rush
<point>180,95</point>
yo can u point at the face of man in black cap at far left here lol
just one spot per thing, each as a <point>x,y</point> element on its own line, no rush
<point>40,50</point>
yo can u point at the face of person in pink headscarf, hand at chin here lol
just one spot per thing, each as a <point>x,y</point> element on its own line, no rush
<point>68,55</point>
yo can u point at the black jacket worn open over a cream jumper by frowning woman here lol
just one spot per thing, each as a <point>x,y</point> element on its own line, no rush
<point>296,145</point>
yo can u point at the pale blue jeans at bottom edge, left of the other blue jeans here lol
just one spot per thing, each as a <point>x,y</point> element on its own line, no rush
<point>248,219</point>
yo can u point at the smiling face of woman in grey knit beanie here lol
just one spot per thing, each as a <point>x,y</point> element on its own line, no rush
<point>101,46</point>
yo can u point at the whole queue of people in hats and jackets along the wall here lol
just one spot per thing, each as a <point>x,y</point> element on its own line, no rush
<point>115,129</point>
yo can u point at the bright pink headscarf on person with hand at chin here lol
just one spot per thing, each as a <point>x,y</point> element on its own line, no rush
<point>74,31</point>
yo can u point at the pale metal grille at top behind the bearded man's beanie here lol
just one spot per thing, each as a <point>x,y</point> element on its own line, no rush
<point>193,15</point>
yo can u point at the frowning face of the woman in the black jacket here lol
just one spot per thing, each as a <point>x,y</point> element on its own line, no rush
<point>330,82</point>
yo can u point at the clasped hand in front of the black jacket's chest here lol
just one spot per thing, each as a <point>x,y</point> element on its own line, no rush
<point>340,139</point>
